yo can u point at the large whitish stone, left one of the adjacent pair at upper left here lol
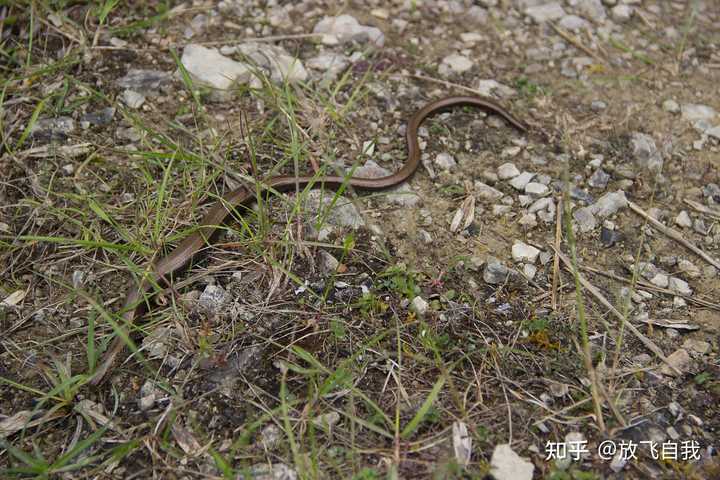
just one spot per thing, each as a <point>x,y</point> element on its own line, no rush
<point>209,68</point>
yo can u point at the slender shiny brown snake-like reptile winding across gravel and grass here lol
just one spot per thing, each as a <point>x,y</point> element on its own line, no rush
<point>180,257</point>
